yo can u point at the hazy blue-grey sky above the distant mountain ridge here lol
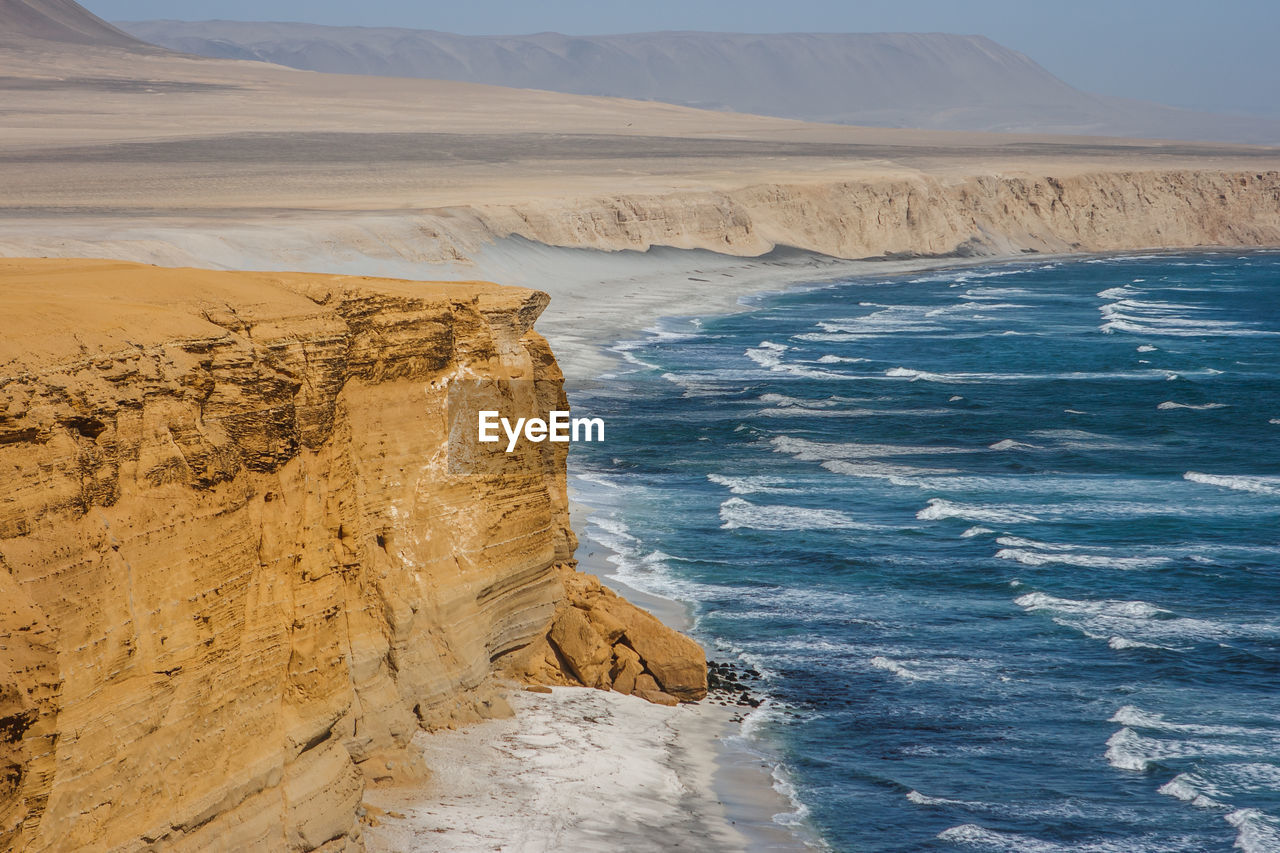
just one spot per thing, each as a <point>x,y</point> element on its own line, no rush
<point>1204,54</point>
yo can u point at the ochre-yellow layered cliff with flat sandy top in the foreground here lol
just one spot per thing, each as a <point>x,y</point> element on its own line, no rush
<point>237,572</point>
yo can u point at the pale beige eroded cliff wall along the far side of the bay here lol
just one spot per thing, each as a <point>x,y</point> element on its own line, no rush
<point>921,215</point>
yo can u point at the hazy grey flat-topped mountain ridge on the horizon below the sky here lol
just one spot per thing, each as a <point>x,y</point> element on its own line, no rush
<point>890,80</point>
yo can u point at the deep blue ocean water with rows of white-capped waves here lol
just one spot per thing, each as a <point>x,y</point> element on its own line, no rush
<point>1005,544</point>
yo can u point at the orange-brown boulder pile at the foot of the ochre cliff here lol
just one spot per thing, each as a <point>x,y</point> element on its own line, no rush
<point>602,641</point>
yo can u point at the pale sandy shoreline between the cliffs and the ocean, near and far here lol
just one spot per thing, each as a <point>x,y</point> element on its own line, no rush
<point>732,793</point>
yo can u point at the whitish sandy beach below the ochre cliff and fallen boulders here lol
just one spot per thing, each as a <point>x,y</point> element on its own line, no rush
<point>574,770</point>
